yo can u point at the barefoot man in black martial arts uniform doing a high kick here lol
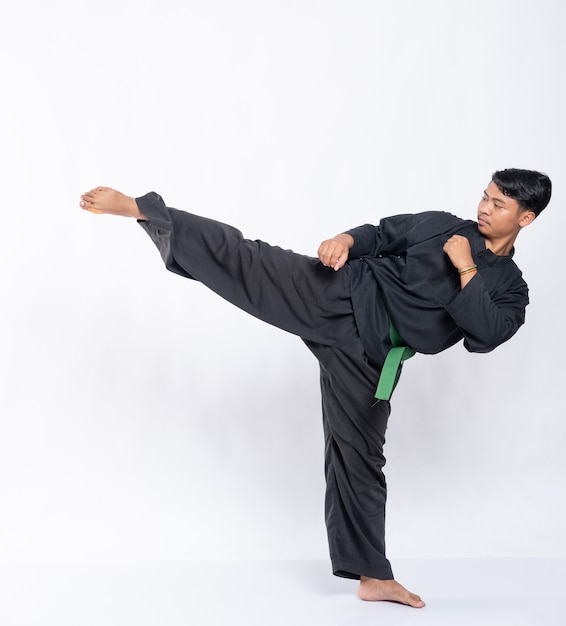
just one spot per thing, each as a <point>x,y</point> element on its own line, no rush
<point>414,283</point>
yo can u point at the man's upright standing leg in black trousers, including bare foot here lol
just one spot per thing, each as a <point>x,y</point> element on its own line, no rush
<point>354,428</point>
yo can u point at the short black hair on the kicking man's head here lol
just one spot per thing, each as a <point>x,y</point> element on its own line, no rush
<point>529,188</point>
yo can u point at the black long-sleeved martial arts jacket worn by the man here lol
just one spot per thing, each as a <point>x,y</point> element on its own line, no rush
<point>399,268</point>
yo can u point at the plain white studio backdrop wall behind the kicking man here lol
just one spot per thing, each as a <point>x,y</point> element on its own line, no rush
<point>145,419</point>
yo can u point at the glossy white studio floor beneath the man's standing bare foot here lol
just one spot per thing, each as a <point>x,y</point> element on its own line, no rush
<point>502,592</point>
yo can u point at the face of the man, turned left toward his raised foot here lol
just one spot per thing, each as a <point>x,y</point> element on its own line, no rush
<point>500,217</point>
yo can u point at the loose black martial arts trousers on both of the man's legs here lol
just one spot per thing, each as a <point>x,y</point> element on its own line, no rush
<point>298,294</point>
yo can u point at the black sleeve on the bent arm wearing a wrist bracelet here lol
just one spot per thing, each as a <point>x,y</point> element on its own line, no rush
<point>485,320</point>
